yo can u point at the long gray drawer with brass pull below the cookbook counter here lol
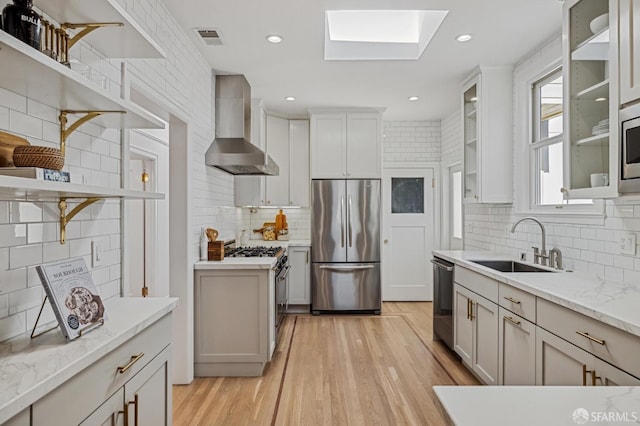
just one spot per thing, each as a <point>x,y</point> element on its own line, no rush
<point>74,400</point>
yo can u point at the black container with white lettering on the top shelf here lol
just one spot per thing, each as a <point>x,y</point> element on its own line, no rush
<point>22,22</point>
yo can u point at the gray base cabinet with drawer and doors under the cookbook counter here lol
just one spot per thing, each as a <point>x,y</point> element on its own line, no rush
<point>132,379</point>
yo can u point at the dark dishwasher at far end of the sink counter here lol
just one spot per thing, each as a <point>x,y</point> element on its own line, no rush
<point>443,301</point>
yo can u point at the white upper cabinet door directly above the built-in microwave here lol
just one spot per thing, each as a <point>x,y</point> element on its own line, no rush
<point>629,51</point>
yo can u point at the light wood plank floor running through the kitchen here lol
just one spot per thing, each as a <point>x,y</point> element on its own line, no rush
<point>335,370</point>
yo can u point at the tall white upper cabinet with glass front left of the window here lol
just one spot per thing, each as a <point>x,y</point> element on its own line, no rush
<point>487,135</point>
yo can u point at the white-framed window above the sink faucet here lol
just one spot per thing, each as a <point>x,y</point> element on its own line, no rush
<point>546,147</point>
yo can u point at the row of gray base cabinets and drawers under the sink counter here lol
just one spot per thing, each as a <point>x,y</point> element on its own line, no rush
<point>529,340</point>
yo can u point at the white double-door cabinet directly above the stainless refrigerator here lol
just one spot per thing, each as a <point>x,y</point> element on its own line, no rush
<point>346,145</point>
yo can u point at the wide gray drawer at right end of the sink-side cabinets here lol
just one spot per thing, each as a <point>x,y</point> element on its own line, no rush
<point>617,347</point>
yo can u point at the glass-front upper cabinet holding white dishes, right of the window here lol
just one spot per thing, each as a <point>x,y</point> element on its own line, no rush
<point>590,98</point>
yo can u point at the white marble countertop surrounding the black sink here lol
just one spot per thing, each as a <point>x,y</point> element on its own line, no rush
<point>614,303</point>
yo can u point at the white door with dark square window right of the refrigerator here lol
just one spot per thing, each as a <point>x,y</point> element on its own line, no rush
<point>408,230</point>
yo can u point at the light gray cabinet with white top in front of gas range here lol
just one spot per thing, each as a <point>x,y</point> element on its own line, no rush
<point>235,331</point>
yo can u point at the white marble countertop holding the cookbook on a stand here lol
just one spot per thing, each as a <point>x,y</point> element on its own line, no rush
<point>31,368</point>
